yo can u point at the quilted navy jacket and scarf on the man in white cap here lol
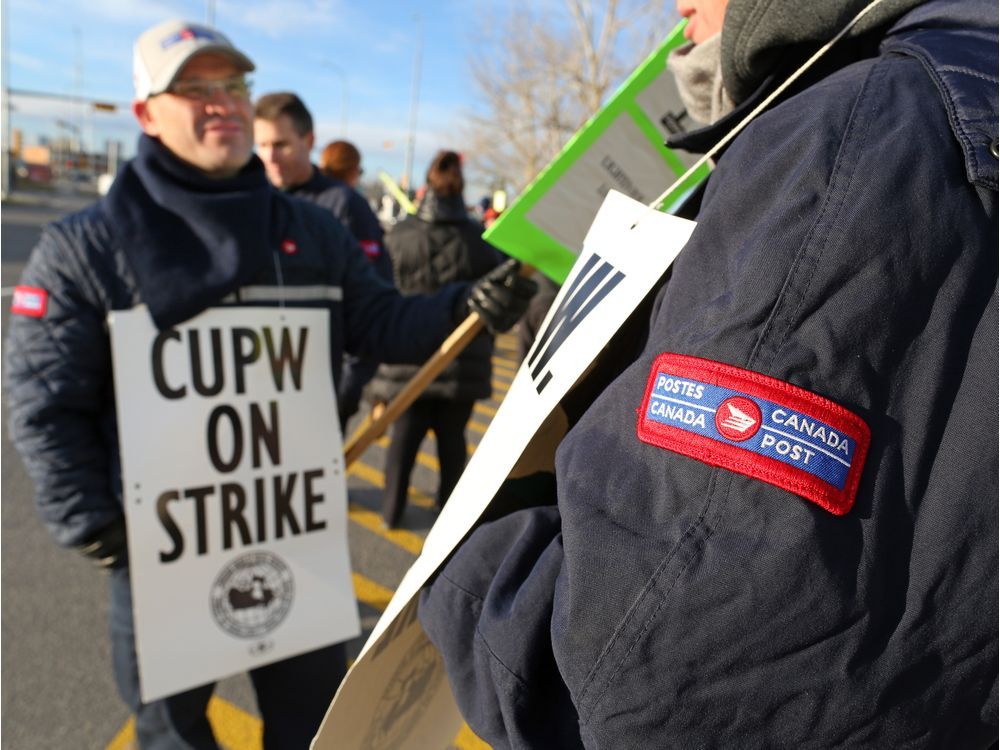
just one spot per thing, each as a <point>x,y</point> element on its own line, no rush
<point>58,363</point>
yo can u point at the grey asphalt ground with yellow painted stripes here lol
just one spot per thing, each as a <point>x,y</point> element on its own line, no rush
<point>58,690</point>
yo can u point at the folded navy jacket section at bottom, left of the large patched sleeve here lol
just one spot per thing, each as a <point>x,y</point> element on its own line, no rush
<point>488,613</point>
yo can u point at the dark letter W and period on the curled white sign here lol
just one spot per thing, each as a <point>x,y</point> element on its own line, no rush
<point>593,283</point>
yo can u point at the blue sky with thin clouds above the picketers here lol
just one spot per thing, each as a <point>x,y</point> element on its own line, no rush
<point>311,47</point>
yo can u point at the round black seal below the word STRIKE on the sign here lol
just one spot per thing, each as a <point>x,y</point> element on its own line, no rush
<point>252,594</point>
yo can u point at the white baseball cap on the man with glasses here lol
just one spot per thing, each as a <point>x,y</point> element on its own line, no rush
<point>161,52</point>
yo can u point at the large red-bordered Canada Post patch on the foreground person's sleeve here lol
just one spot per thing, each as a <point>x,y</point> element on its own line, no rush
<point>756,426</point>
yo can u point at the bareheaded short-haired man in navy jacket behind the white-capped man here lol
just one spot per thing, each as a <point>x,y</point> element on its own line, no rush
<point>283,134</point>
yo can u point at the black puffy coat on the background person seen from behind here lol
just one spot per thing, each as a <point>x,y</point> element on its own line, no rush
<point>437,246</point>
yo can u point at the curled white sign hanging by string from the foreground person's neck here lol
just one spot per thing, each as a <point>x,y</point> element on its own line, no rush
<point>397,694</point>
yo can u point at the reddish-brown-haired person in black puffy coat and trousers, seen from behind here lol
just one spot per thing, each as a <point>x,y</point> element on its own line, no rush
<point>437,246</point>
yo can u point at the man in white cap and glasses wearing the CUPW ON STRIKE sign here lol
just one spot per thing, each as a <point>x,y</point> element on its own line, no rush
<point>191,223</point>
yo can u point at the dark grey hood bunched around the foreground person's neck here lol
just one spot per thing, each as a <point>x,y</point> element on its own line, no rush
<point>758,33</point>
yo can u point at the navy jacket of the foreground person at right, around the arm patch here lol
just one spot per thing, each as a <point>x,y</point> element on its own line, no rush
<point>846,244</point>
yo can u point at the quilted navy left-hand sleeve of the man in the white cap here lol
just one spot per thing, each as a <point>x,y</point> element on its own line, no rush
<point>58,378</point>
